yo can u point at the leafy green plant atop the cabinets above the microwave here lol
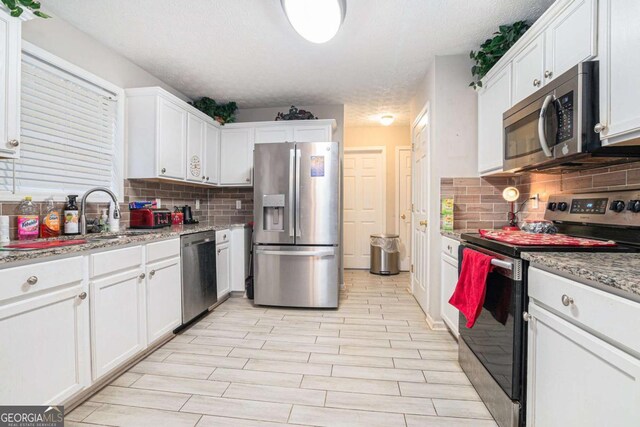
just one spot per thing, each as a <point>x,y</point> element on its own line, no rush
<point>493,49</point>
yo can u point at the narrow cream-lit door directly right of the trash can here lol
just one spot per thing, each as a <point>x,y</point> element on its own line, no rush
<point>403,206</point>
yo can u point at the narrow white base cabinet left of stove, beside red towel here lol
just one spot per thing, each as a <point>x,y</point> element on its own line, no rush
<point>448,281</point>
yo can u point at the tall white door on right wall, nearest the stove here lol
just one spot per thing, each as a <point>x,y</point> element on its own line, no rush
<point>420,214</point>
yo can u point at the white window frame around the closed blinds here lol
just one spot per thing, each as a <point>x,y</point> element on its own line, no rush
<point>118,171</point>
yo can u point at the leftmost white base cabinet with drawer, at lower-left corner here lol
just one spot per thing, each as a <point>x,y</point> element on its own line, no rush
<point>44,333</point>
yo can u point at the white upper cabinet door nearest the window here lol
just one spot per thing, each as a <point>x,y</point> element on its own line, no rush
<point>172,140</point>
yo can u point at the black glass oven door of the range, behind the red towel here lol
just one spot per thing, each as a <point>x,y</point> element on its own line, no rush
<point>498,337</point>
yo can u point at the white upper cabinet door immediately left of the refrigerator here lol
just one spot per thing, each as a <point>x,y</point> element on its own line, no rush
<point>236,154</point>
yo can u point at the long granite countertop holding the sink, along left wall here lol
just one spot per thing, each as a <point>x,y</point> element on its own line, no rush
<point>129,237</point>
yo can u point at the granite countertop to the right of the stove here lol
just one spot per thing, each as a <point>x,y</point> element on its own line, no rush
<point>609,270</point>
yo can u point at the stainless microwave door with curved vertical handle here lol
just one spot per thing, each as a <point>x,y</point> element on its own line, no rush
<point>529,136</point>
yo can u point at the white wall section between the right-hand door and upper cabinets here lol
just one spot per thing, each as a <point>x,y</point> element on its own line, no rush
<point>453,150</point>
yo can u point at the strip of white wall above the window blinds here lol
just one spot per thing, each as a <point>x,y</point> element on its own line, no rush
<point>67,42</point>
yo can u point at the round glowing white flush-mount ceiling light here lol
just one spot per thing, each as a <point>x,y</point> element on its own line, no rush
<point>315,20</point>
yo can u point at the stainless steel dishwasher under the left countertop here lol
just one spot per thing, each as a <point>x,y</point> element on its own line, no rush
<point>199,290</point>
